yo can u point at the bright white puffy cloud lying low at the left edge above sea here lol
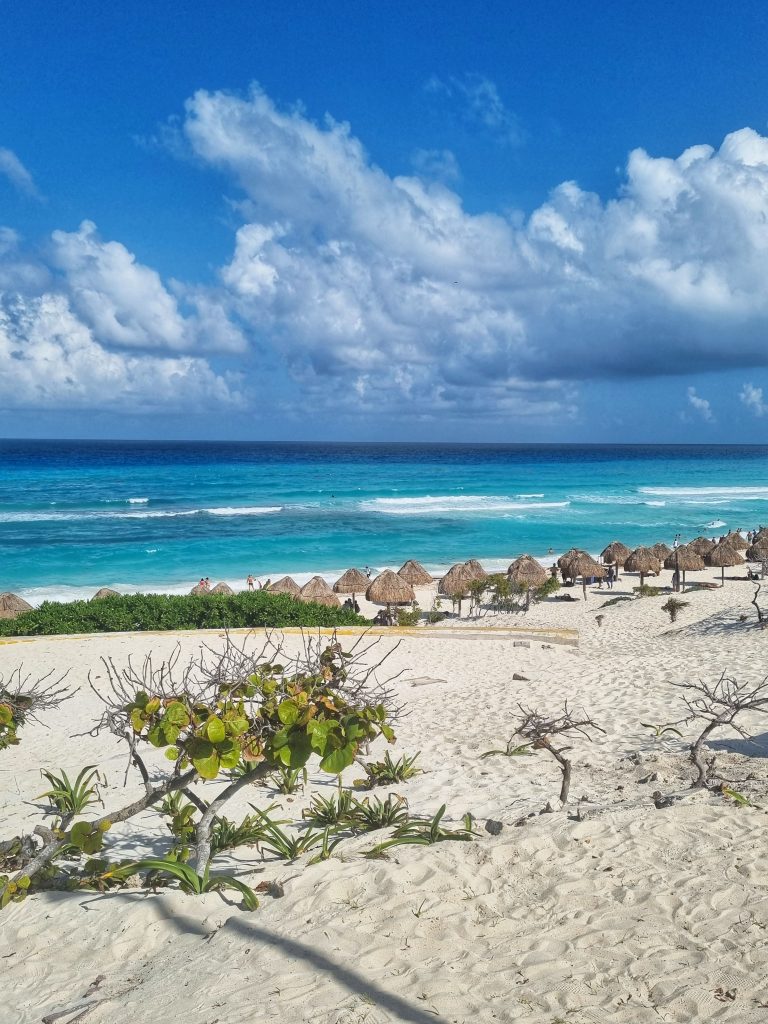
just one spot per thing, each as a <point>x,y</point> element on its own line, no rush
<point>50,359</point>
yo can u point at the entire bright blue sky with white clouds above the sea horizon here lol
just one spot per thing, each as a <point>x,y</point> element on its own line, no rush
<point>380,221</point>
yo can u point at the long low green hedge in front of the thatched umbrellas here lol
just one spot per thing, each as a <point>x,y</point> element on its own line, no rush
<point>163,612</point>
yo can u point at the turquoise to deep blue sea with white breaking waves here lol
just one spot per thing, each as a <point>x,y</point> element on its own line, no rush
<point>75,517</point>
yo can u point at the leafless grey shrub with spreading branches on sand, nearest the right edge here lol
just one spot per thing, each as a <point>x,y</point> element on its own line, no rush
<point>718,705</point>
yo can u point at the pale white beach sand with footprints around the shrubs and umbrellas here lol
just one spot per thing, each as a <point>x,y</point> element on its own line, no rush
<point>633,915</point>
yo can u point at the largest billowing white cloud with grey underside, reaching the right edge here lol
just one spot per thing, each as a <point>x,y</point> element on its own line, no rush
<point>367,283</point>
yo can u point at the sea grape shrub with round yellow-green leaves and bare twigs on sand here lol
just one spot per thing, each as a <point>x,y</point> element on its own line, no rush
<point>214,718</point>
